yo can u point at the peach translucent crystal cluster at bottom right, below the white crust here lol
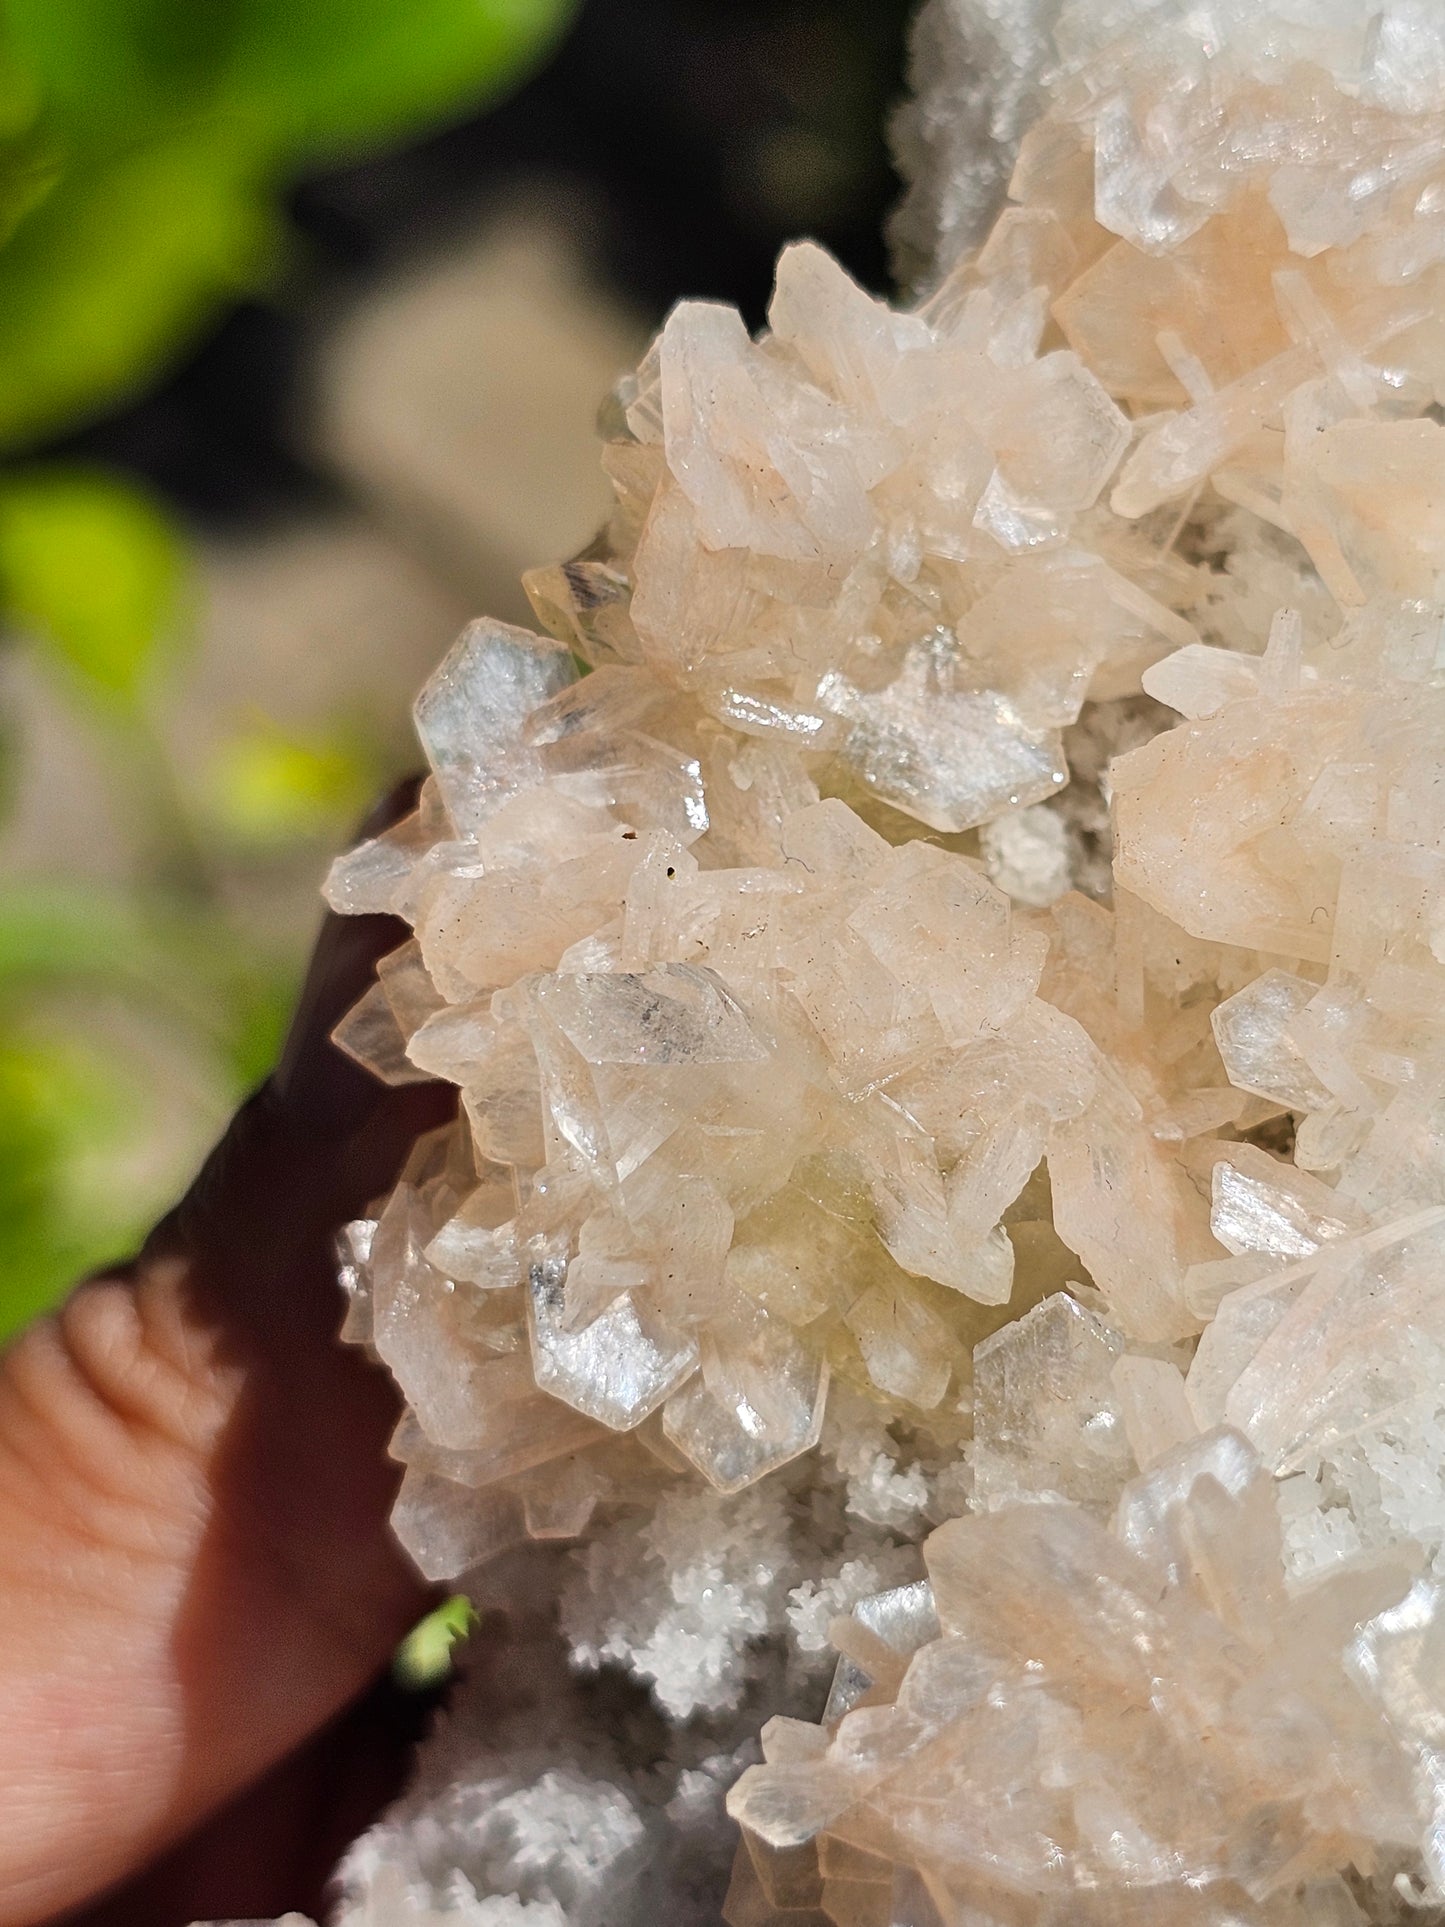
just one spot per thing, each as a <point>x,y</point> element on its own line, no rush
<point>1007,1762</point>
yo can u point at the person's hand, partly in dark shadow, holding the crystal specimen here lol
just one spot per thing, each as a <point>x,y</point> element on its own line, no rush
<point>199,1593</point>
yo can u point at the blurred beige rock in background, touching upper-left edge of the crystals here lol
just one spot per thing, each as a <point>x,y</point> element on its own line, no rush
<point>461,402</point>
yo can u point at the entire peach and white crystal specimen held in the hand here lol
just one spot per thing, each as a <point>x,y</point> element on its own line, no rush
<point>951,1024</point>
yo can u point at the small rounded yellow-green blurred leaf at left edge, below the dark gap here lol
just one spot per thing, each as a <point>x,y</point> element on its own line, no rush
<point>93,569</point>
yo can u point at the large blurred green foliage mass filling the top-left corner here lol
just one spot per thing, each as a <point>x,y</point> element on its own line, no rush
<point>144,145</point>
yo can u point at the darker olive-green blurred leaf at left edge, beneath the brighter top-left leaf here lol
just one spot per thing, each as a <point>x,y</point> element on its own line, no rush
<point>117,267</point>
